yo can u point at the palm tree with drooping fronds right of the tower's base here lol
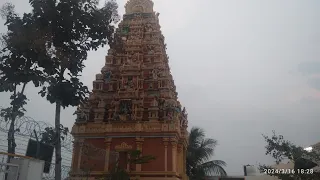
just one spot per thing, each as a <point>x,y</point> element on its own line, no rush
<point>200,150</point>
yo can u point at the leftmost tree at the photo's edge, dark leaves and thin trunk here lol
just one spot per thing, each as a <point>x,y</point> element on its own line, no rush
<point>21,50</point>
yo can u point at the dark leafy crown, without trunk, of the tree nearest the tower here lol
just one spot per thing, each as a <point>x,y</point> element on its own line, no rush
<point>73,27</point>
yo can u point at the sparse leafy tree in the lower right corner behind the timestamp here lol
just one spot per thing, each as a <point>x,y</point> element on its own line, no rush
<point>284,150</point>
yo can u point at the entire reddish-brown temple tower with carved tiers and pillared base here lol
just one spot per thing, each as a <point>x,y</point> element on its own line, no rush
<point>133,106</point>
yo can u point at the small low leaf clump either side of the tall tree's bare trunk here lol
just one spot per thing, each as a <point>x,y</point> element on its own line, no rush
<point>49,135</point>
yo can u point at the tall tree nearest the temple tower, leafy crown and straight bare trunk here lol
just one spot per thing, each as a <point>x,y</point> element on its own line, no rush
<point>68,29</point>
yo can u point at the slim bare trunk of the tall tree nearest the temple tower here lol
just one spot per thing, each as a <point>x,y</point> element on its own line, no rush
<point>58,142</point>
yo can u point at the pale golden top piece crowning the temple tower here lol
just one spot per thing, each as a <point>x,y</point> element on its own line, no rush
<point>139,6</point>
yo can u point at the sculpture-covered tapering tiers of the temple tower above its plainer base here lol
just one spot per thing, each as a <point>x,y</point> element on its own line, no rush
<point>137,71</point>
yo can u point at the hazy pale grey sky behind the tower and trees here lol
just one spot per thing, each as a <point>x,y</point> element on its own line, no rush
<point>242,68</point>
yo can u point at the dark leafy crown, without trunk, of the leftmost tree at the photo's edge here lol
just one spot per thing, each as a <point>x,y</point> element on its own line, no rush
<point>20,52</point>
